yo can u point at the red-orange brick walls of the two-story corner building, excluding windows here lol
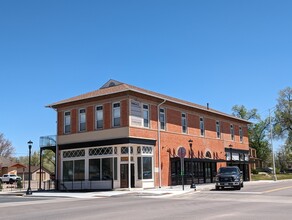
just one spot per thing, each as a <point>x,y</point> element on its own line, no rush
<point>172,137</point>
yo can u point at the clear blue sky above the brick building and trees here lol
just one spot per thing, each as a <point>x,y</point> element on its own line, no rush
<point>223,52</point>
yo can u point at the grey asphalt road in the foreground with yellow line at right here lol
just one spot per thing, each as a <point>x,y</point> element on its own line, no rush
<point>270,200</point>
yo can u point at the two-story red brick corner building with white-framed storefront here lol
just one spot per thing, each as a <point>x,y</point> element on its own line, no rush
<point>122,136</point>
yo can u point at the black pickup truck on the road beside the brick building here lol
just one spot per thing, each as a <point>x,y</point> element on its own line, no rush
<point>230,176</point>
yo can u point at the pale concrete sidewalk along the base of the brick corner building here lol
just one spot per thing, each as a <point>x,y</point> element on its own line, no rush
<point>159,192</point>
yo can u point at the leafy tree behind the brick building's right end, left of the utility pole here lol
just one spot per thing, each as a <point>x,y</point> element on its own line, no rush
<point>257,131</point>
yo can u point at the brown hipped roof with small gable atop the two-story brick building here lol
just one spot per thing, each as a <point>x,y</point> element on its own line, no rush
<point>114,87</point>
